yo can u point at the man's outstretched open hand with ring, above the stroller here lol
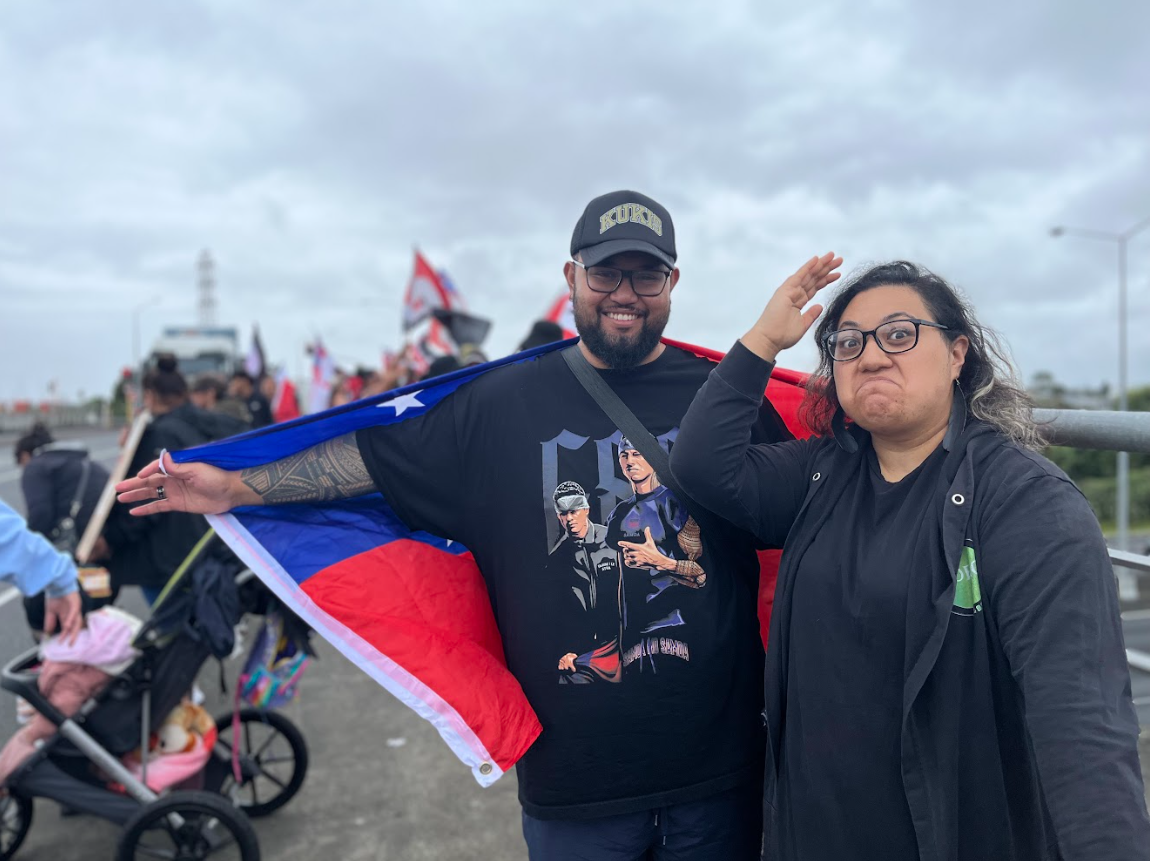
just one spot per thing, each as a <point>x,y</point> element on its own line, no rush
<point>194,488</point>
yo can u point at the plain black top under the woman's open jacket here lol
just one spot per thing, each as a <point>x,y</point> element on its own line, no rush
<point>844,727</point>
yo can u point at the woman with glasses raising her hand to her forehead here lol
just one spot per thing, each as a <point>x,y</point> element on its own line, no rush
<point>946,675</point>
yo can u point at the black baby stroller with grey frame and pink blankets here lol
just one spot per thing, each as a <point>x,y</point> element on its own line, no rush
<point>257,766</point>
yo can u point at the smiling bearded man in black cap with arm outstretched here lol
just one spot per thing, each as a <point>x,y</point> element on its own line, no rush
<point>668,762</point>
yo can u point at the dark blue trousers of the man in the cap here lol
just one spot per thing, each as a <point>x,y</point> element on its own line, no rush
<point>727,827</point>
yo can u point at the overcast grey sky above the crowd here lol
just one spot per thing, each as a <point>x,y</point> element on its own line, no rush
<point>311,145</point>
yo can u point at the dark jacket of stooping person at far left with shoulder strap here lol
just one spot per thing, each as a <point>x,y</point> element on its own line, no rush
<point>50,485</point>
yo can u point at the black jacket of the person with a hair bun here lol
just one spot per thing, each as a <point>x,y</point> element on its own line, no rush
<point>148,551</point>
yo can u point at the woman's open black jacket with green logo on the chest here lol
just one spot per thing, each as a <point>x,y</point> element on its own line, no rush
<point>1019,734</point>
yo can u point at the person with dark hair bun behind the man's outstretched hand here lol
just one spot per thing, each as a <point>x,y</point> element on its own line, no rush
<point>147,552</point>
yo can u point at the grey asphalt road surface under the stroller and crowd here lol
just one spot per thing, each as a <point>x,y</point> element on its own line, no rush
<point>381,786</point>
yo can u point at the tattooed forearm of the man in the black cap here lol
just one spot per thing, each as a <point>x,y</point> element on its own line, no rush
<point>329,471</point>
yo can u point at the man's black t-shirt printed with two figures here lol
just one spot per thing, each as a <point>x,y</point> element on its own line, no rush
<point>631,627</point>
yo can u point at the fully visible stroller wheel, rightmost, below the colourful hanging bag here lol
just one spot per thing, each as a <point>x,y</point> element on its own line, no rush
<point>273,760</point>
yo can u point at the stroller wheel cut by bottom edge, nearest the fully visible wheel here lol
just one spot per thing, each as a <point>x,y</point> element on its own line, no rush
<point>189,827</point>
